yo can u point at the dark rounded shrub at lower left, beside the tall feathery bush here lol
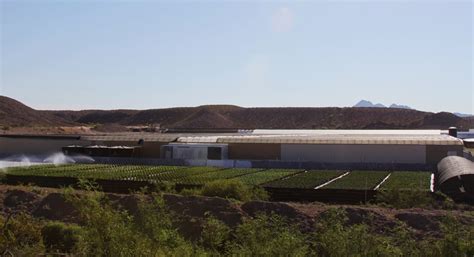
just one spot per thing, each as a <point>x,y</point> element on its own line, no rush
<point>60,237</point>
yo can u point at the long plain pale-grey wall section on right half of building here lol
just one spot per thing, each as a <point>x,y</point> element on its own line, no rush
<point>354,153</point>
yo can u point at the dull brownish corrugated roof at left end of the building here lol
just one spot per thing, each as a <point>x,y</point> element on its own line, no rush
<point>132,138</point>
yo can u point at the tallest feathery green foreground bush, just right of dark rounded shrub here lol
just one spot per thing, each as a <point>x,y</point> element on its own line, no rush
<point>109,232</point>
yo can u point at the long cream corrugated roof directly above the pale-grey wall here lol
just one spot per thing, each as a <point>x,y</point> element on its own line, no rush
<point>345,139</point>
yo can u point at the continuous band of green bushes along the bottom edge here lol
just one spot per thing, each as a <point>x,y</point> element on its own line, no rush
<point>151,231</point>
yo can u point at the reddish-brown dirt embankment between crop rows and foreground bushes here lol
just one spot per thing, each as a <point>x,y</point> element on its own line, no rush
<point>191,211</point>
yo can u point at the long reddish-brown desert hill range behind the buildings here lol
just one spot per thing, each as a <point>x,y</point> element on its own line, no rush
<point>14,113</point>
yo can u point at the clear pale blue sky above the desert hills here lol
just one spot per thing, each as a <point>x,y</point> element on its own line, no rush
<point>154,54</point>
